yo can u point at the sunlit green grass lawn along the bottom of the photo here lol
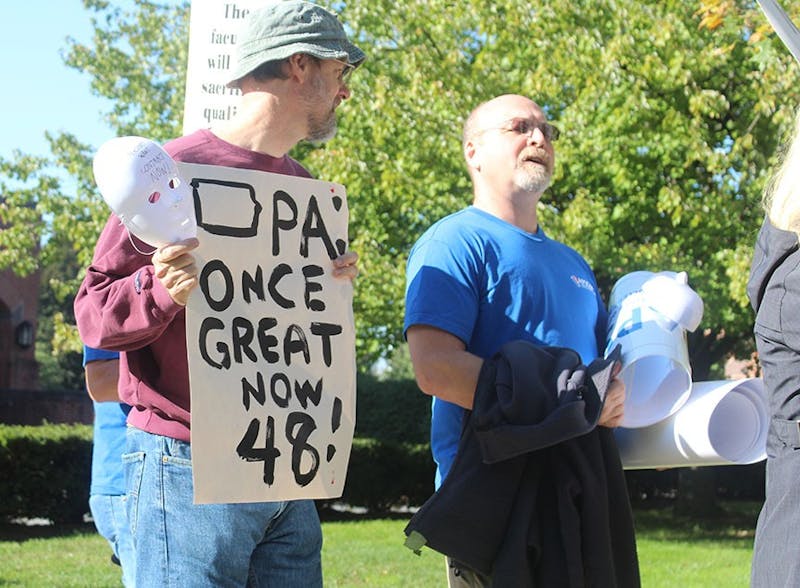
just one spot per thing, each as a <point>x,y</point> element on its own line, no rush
<point>673,551</point>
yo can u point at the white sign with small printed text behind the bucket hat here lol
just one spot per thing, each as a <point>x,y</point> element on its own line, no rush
<point>213,27</point>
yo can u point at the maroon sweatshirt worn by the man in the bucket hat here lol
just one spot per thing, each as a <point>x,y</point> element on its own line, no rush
<point>121,306</point>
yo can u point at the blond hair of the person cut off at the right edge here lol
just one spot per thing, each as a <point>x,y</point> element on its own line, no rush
<point>782,196</point>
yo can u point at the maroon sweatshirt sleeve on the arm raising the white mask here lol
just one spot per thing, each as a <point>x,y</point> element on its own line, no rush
<point>121,305</point>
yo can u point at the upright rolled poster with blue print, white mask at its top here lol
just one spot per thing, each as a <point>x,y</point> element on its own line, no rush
<point>649,315</point>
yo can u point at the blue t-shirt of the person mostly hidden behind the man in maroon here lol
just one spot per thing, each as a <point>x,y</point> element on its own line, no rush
<point>108,476</point>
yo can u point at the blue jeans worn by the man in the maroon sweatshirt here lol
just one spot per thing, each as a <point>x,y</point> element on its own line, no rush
<point>178,543</point>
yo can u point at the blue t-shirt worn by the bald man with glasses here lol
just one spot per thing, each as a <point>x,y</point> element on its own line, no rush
<point>489,282</point>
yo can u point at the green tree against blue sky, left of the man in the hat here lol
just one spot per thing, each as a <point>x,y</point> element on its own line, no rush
<point>50,210</point>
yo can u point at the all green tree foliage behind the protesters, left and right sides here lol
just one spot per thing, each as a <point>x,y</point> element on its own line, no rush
<point>671,112</point>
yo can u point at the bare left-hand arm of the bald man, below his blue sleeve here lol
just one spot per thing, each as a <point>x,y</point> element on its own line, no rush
<point>442,365</point>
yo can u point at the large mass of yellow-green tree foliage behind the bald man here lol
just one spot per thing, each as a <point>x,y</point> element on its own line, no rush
<point>671,129</point>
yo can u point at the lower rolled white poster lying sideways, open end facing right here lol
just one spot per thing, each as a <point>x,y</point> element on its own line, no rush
<point>723,423</point>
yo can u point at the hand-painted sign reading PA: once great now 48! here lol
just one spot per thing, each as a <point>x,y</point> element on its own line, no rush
<point>270,338</point>
